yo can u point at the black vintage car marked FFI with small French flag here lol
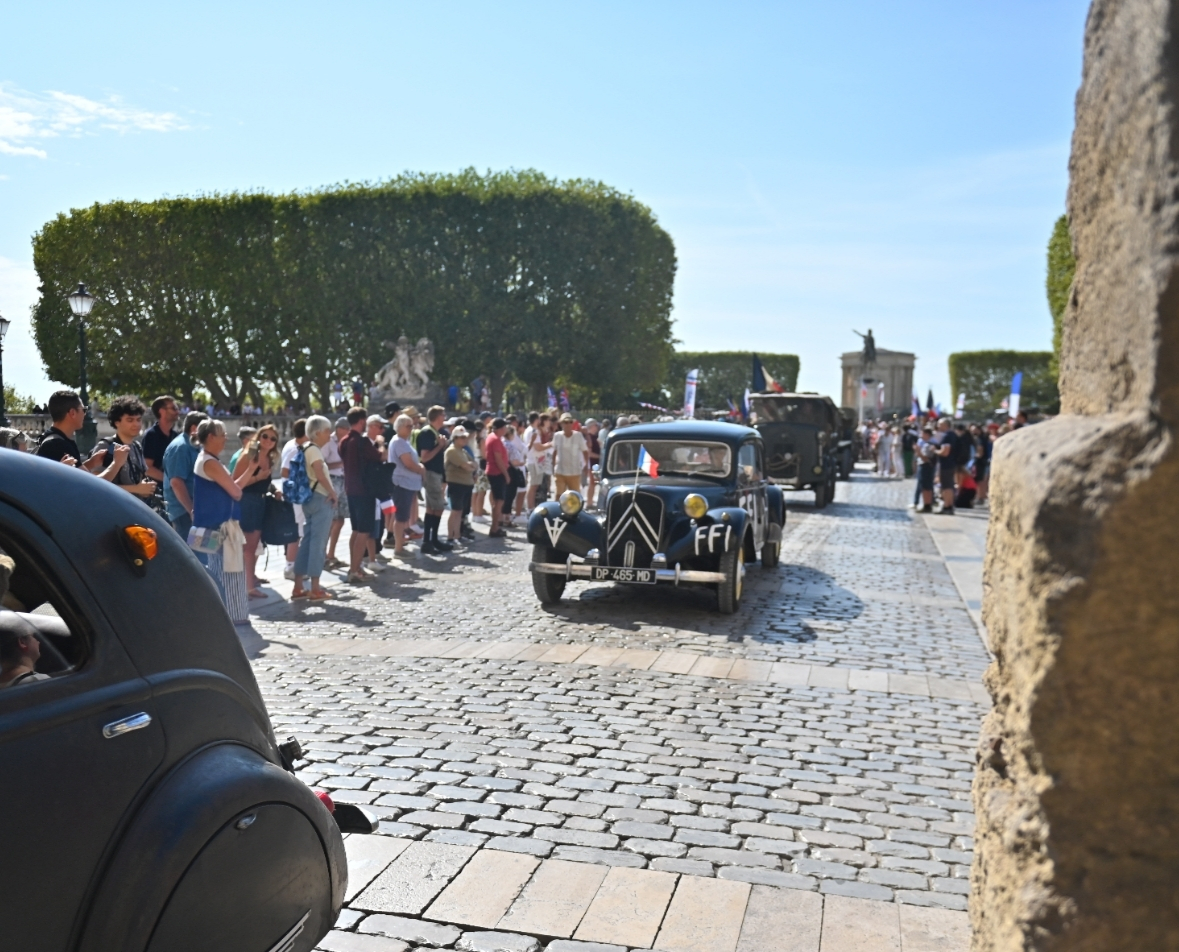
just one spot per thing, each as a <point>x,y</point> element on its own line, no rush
<point>697,520</point>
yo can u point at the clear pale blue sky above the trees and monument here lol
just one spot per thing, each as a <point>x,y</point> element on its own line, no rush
<point>820,167</point>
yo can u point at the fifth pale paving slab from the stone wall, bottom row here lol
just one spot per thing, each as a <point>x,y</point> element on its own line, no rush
<point>628,908</point>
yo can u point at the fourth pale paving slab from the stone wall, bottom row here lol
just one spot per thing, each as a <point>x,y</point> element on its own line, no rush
<point>704,916</point>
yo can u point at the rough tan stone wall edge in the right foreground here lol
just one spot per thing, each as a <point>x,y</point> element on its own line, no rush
<point>1078,786</point>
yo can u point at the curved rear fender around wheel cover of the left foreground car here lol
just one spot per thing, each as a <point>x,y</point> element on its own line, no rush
<point>189,807</point>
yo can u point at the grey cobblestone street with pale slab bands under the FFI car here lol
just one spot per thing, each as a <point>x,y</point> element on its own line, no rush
<point>802,764</point>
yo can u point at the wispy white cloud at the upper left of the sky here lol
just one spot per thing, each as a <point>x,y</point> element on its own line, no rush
<point>28,120</point>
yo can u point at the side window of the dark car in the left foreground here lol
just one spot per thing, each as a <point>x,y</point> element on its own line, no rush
<point>39,635</point>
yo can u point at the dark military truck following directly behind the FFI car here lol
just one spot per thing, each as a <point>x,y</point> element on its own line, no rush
<point>802,435</point>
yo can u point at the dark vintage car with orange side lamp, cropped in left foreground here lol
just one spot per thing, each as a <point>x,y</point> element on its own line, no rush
<point>148,804</point>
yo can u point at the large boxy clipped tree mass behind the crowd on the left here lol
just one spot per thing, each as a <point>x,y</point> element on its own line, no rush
<point>515,277</point>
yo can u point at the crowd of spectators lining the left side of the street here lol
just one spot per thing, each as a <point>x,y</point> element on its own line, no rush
<point>394,477</point>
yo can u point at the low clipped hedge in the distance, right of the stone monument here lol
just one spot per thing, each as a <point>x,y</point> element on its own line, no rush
<point>985,377</point>
